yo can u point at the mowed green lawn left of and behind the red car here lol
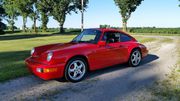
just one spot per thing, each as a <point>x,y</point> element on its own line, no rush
<point>15,48</point>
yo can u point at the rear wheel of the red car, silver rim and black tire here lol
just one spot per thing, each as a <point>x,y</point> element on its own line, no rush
<point>137,61</point>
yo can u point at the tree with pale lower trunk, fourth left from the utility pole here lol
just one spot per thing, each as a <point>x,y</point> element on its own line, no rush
<point>24,8</point>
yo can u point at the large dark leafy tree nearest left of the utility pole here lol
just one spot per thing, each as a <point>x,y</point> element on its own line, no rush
<point>60,8</point>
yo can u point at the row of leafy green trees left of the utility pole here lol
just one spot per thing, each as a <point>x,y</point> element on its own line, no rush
<point>38,10</point>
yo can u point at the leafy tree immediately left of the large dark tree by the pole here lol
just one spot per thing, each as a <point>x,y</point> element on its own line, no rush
<point>44,8</point>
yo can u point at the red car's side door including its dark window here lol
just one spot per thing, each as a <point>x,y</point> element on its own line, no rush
<point>110,54</point>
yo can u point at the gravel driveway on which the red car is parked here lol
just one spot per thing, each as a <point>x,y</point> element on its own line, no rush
<point>119,83</point>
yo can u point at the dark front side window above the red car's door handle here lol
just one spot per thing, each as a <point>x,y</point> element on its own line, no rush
<point>111,37</point>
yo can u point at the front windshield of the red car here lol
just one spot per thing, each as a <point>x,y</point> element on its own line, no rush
<point>88,36</point>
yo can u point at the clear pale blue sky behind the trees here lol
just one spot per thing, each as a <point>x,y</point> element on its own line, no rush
<point>158,13</point>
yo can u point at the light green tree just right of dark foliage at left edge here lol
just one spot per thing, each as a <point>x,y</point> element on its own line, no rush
<point>11,11</point>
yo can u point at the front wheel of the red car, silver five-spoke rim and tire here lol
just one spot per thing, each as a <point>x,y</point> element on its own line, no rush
<point>76,70</point>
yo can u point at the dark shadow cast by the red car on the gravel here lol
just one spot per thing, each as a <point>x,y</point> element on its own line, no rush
<point>148,59</point>
